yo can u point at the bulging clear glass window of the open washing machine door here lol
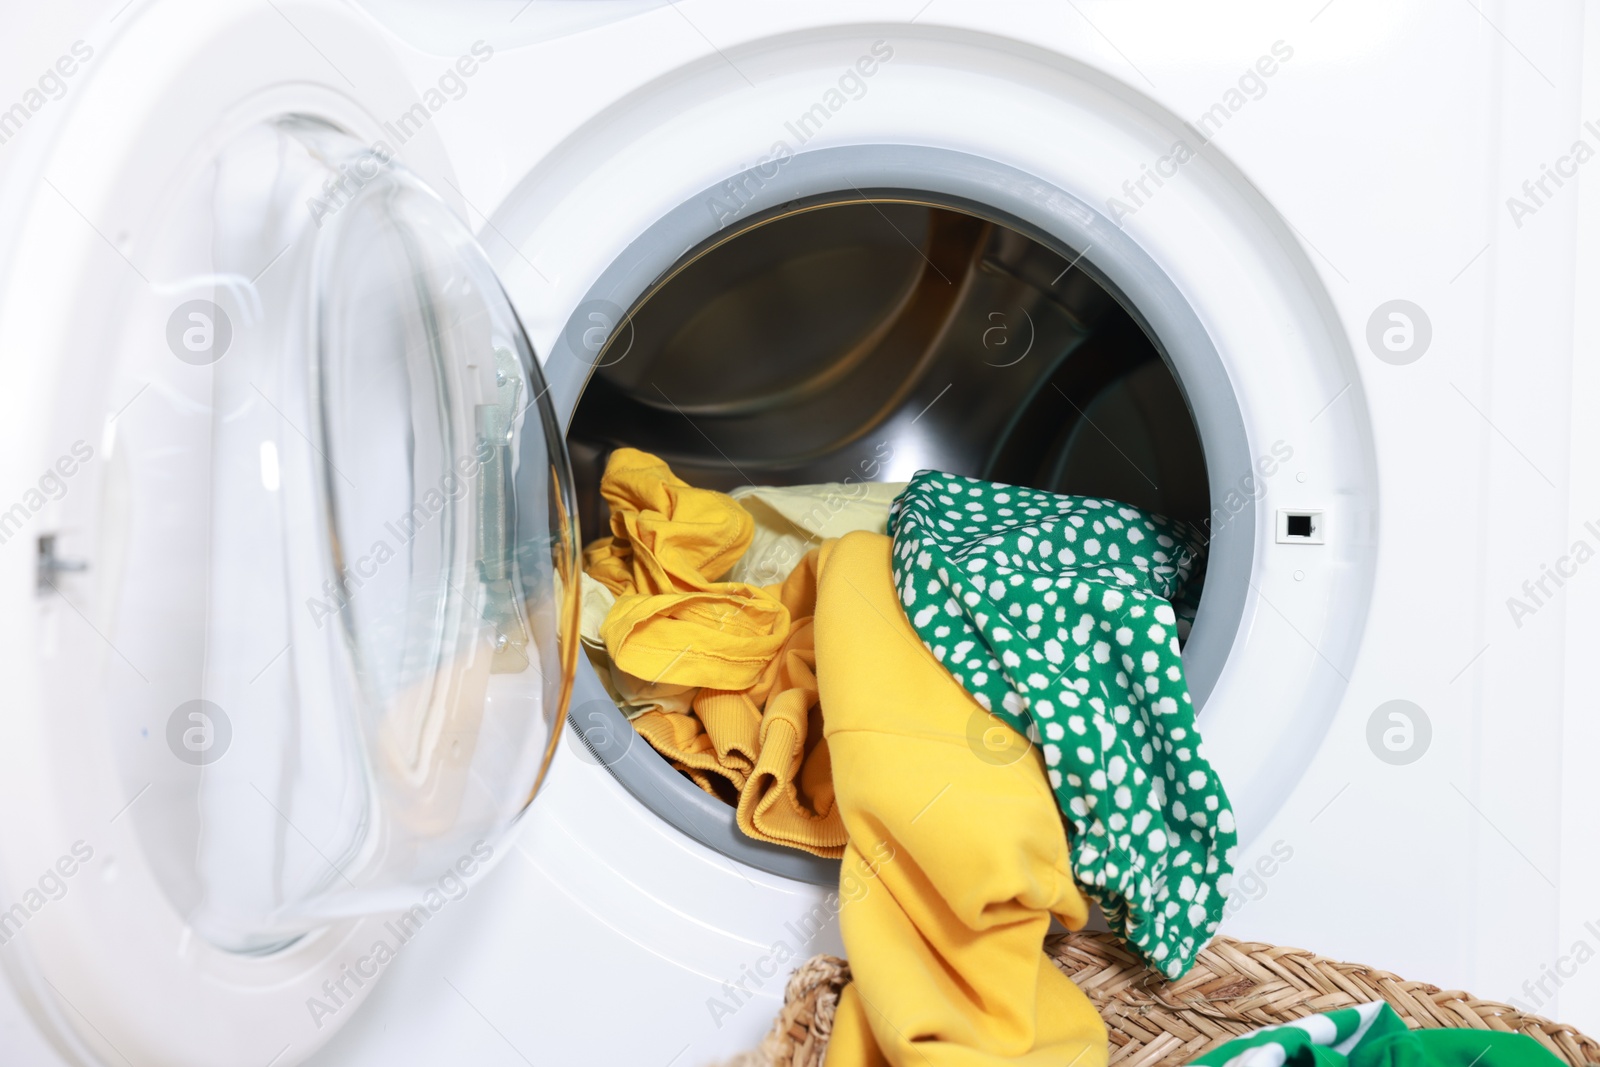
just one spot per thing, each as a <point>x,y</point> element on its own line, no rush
<point>337,545</point>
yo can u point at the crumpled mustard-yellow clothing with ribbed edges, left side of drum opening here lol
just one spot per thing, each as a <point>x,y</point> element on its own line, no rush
<point>742,653</point>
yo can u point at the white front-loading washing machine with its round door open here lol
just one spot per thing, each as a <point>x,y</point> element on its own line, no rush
<point>319,322</point>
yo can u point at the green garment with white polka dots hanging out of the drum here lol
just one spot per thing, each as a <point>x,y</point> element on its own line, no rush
<point>1057,615</point>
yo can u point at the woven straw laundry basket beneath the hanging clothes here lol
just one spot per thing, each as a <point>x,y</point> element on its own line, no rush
<point>1234,988</point>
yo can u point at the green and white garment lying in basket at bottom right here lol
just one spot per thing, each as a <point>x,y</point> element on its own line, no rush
<point>1374,1036</point>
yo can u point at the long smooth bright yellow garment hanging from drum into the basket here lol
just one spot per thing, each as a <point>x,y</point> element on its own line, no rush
<point>956,863</point>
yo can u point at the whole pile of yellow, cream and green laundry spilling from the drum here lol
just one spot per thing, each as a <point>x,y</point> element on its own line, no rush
<point>924,681</point>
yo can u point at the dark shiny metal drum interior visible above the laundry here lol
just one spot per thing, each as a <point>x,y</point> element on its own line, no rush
<point>866,340</point>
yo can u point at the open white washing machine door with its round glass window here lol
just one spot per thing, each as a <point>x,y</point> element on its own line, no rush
<point>287,561</point>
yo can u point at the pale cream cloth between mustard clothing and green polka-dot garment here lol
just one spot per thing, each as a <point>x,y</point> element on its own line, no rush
<point>794,519</point>
